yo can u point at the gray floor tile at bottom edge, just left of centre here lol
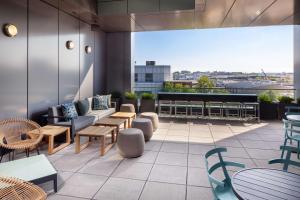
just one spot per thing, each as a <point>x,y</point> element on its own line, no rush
<point>120,189</point>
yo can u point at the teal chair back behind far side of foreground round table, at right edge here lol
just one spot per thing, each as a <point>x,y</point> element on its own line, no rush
<point>287,161</point>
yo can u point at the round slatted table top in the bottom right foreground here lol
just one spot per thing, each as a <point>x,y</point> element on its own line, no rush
<point>262,183</point>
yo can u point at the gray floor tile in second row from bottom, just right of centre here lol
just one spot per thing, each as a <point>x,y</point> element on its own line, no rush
<point>168,174</point>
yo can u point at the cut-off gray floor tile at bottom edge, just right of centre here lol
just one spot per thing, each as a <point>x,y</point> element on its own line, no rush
<point>163,191</point>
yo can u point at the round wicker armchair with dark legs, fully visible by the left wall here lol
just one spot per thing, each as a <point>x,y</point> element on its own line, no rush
<point>15,135</point>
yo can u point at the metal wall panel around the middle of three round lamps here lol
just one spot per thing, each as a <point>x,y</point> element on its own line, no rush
<point>68,59</point>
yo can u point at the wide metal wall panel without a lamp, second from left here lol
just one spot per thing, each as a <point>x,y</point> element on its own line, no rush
<point>42,57</point>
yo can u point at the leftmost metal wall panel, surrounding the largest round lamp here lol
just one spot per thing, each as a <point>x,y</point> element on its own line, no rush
<point>13,60</point>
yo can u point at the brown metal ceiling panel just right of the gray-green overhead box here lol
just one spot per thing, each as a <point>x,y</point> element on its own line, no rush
<point>213,14</point>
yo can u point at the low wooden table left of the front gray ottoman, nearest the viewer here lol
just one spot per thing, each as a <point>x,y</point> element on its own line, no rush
<point>95,131</point>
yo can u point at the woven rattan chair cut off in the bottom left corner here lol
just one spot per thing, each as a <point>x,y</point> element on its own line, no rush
<point>13,188</point>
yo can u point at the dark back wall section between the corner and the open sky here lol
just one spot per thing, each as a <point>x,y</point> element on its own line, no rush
<point>119,62</point>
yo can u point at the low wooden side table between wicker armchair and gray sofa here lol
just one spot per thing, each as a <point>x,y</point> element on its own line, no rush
<point>51,132</point>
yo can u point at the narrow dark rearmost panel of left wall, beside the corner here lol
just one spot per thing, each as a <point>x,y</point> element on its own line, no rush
<point>99,69</point>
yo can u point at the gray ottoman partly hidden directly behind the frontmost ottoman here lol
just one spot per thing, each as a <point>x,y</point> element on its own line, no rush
<point>145,125</point>
